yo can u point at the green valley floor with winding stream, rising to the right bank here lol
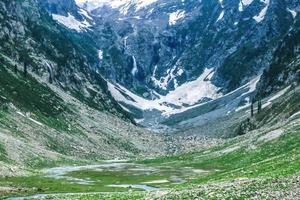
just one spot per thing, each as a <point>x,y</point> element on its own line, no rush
<point>264,164</point>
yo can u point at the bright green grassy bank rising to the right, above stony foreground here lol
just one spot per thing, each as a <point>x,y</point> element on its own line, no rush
<point>280,157</point>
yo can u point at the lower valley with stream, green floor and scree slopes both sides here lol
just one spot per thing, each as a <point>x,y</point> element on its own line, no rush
<point>56,151</point>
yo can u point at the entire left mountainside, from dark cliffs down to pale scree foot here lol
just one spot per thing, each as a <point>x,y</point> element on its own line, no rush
<point>54,106</point>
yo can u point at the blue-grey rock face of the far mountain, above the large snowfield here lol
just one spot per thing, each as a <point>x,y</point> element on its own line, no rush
<point>237,41</point>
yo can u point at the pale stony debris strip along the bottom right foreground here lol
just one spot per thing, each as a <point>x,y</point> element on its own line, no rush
<point>282,188</point>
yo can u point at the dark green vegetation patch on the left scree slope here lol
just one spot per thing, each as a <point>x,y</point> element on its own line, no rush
<point>31,96</point>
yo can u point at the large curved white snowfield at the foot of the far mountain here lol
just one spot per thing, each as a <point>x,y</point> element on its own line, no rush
<point>184,97</point>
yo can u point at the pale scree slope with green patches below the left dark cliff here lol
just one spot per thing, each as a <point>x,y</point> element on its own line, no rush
<point>49,128</point>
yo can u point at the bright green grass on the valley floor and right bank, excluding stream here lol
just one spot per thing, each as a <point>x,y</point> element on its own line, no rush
<point>269,161</point>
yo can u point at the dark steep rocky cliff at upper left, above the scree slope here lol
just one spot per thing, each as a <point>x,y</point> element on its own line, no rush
<point>32,39</point>
